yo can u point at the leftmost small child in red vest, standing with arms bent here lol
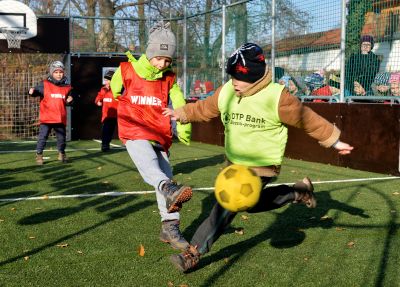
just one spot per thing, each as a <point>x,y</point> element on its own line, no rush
<point>55,94</point>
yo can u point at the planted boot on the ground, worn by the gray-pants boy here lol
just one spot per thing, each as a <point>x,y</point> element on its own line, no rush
<point>171,234</point>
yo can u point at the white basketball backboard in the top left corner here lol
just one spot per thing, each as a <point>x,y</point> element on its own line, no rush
<point>14,14</point>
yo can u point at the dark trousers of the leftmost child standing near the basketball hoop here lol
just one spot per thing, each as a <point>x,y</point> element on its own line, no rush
<point>44,131</point>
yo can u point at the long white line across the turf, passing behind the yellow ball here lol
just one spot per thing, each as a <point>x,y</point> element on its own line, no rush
<point>117,193</point>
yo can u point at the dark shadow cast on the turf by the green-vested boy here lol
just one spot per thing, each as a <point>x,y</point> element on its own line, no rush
<point>285,232</point>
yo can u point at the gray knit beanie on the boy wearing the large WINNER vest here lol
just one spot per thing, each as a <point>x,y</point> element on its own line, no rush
<point>162,41</point>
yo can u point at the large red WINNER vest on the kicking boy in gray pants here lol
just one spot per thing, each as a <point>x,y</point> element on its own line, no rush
<point>140,107</point>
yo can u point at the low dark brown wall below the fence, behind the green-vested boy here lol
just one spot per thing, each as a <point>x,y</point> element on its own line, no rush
<point>373,130</point>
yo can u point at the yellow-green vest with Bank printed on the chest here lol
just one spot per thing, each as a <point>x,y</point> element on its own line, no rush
<point>254,134</point>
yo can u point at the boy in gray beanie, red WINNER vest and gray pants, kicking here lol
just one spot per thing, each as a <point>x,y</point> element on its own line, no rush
<point>143,88</point>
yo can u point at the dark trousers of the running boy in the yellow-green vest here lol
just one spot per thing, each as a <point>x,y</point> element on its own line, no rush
<point>219,219</point>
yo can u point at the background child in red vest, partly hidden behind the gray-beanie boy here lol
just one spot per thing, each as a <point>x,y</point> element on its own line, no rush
<point>105,99</point>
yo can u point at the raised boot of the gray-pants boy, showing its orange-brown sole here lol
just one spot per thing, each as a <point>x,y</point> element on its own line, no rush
<point>175,194</point>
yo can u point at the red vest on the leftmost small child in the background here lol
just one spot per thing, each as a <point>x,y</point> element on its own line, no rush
<point>52,105</point>
